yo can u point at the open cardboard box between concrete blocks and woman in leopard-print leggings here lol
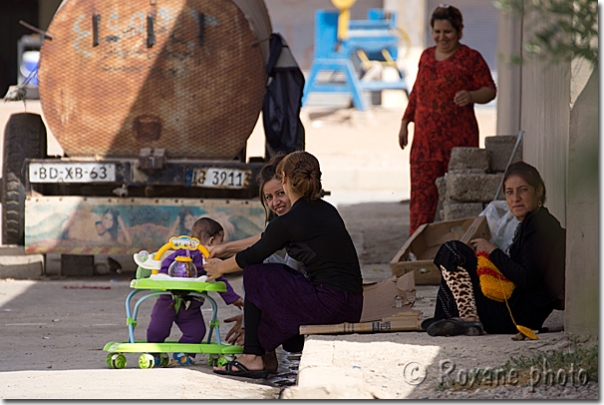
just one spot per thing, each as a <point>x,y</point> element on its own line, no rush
<point>426,241</point>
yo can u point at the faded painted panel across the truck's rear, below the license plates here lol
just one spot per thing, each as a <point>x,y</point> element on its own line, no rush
<point>76,225</point>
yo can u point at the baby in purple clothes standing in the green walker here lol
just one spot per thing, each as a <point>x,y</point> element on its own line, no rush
<point>185,311</point>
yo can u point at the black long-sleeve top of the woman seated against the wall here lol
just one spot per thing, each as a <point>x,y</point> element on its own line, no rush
<point>537,257</point>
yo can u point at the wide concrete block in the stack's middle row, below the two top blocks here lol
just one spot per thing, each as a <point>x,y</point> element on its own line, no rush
<point>472,187</point>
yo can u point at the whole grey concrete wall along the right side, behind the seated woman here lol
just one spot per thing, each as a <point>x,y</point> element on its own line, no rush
<point>558,109</point>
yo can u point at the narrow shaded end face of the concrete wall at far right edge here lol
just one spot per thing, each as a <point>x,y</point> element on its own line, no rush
<point>582,251</point>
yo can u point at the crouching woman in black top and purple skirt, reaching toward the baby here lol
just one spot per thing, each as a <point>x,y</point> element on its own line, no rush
<point>278,299</point>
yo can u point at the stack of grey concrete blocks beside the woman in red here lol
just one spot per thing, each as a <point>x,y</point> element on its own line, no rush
<point>473,177</point>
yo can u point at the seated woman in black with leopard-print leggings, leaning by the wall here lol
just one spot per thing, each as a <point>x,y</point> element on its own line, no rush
<point>535,263</point>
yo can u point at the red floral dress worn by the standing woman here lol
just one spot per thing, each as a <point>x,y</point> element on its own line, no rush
<point>439,123</point>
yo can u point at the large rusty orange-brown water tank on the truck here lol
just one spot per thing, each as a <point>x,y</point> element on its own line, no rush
<point>184,75</point>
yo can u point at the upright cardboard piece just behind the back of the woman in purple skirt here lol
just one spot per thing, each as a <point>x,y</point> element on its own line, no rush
<point>380,299</point>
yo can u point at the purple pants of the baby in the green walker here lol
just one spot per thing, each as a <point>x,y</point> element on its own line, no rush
<point>189,321</point>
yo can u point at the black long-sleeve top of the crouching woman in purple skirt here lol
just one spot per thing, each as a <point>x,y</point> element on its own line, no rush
<point>314,233</point>
